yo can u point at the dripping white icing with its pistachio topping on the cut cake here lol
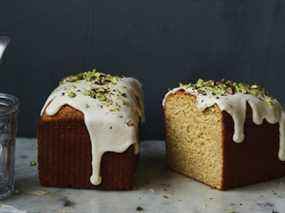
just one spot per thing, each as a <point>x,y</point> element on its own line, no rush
<point>233,98</point>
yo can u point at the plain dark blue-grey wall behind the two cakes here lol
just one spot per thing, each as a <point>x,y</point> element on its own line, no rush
<point>159,42</point>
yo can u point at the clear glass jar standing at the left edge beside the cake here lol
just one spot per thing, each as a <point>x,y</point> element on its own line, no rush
<point>8,127</point>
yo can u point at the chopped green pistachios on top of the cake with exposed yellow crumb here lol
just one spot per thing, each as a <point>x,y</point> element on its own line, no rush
<point>227,87</point>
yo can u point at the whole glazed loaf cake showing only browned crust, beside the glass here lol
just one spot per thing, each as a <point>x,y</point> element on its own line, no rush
<point>88,133</point>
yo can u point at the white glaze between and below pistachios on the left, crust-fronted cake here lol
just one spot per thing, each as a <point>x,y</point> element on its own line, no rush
<point>108,130</point>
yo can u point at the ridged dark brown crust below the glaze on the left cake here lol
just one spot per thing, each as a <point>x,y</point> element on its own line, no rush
<point>64,155</point>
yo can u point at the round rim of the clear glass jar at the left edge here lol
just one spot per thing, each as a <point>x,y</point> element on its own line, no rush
<point>12,103</point>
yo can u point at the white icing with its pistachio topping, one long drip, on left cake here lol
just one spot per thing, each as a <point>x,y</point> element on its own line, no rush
<point>112,107</point>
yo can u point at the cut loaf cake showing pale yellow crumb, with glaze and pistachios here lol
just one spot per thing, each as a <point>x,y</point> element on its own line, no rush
<point>224,134</point>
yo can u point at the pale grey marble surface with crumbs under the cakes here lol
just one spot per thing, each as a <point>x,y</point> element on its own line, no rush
<point>158,190</point>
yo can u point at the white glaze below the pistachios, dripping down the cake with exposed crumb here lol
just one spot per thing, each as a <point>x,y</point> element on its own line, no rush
<point>235,105</point>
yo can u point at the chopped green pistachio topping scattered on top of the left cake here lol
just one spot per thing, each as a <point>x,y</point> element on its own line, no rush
<point>106,89</point>
